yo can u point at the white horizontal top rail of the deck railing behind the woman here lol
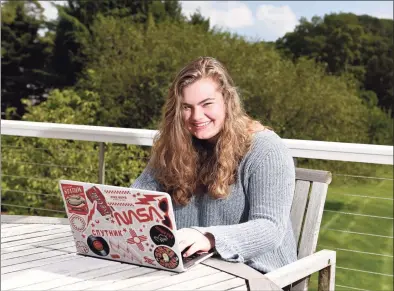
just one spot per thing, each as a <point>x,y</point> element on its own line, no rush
<point>351,152</point>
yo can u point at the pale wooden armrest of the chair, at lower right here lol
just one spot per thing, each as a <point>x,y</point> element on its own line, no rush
<point>302,268</point>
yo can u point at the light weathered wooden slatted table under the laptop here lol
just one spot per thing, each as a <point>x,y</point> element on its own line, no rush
<point>38,253</point>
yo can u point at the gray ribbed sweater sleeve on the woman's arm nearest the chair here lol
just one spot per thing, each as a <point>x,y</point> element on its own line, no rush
<point>270,192</point>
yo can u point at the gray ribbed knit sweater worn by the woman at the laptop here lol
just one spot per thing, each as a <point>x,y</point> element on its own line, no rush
<point>252,225</point>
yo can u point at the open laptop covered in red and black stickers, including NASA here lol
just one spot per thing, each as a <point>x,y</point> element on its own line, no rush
<point>128,225</point>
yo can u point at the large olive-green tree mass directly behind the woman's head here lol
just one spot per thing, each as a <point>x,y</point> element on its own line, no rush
<point>132,69</point>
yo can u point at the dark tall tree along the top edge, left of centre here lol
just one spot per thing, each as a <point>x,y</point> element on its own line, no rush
<point>76,18</point>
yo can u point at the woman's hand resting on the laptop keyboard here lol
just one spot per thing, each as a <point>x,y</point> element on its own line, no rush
<point>195,240</point>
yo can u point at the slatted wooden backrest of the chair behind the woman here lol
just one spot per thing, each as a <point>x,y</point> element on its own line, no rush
<point>307,211</point>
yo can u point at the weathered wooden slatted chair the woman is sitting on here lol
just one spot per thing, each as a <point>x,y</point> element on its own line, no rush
<point>306,215</point>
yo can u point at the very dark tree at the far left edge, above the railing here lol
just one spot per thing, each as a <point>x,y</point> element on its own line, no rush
<point>25,56</point>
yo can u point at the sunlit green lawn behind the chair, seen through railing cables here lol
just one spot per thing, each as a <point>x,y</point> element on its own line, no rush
<point>364,244</point>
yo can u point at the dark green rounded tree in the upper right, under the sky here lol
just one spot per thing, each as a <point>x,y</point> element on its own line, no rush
<point>360,45</point>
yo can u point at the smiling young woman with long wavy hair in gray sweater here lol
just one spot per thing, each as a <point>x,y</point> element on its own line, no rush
<point>231,179</point>
